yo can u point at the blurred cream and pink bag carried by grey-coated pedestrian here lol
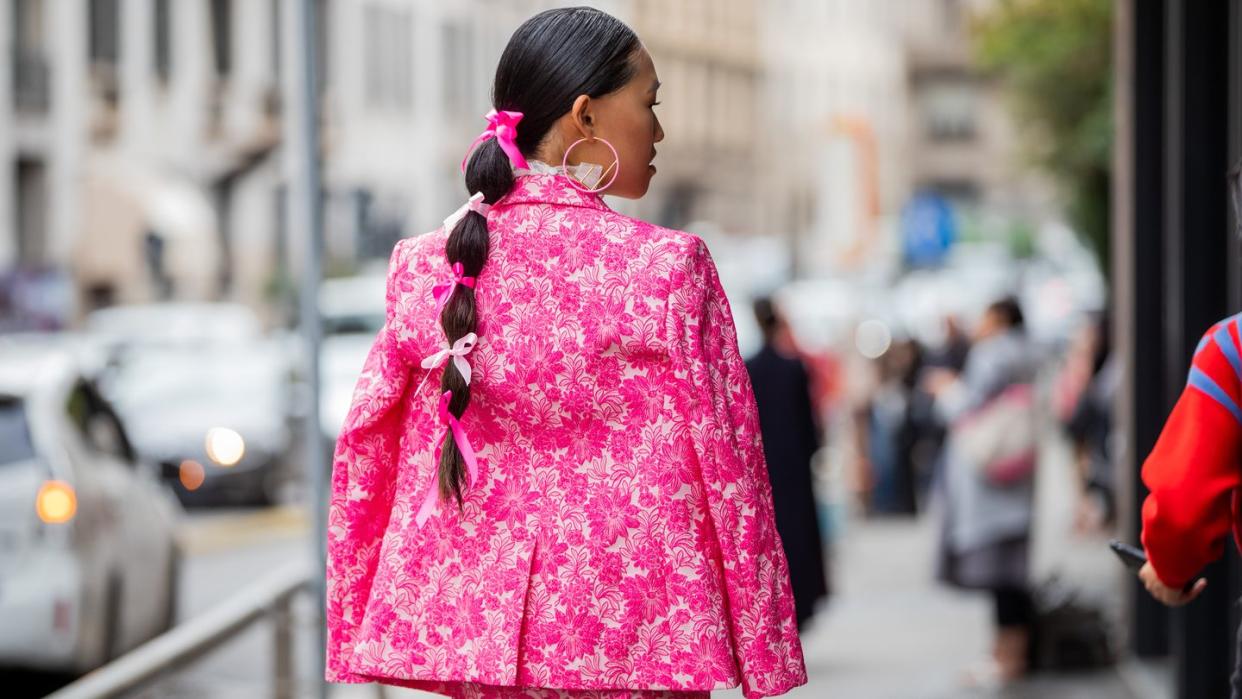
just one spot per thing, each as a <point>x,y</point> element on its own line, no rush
<point>1000,438</point>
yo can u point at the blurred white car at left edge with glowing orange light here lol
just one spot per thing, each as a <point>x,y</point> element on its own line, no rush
<point>89,553</point>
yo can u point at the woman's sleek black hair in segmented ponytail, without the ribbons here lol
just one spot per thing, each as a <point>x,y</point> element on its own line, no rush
<point>551,60</point>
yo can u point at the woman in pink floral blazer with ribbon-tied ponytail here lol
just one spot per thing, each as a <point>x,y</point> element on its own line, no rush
<point>582,508</point>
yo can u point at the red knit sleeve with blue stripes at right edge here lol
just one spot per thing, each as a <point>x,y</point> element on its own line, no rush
<point>1194,470</point>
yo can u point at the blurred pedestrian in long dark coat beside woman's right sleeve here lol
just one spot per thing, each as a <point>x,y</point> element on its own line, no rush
<point>792,438</point>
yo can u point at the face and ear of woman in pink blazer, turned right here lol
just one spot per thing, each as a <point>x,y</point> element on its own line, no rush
<point>628,120</point>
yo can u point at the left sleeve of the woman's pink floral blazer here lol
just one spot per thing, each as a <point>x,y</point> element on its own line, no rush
<point>363,481</point>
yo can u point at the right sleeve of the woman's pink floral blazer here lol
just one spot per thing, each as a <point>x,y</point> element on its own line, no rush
<point>720,410</point>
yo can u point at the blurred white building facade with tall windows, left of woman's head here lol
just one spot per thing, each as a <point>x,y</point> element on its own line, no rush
<point>148,153</point>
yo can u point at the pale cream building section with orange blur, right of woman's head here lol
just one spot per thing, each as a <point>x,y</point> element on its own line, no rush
<point>833,132</point>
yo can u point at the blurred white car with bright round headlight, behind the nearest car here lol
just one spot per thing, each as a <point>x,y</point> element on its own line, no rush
<point>207,395</point>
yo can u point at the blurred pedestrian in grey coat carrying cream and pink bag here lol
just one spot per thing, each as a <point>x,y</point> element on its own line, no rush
<point>989,482</point>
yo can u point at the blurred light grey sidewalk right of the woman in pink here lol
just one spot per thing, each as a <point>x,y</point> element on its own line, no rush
<point>891,631</point>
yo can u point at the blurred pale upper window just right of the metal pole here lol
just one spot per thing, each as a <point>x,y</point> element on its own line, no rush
<point>389,59</point>
